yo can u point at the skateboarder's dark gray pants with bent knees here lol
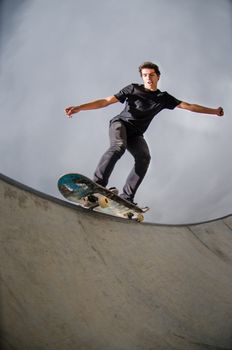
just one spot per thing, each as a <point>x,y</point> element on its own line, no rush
<point>120,140</point>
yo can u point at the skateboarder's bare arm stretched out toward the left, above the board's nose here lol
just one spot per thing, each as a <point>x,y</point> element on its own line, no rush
<point>91,105</point>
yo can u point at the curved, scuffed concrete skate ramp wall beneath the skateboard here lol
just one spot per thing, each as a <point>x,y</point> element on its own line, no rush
<point>76,280</point>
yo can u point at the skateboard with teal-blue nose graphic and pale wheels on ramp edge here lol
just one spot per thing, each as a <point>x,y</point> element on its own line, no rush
<point>81,190</point>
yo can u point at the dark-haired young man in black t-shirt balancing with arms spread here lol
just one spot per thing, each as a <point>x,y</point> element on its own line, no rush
<point>143,102</point>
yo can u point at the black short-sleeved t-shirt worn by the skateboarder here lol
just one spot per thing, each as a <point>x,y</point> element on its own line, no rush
<point>142,105</point>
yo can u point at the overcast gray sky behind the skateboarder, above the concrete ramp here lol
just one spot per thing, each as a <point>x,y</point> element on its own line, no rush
<point>58,53</point>
